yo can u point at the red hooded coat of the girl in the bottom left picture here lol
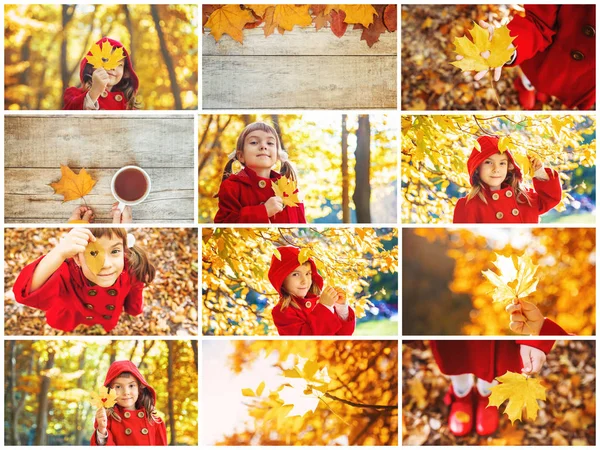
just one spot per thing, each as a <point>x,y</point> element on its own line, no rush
<point>134,427</point>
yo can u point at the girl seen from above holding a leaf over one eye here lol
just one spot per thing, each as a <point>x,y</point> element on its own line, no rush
<point>62,284</point>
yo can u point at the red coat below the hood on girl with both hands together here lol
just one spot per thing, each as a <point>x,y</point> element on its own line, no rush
<point>312,319</point>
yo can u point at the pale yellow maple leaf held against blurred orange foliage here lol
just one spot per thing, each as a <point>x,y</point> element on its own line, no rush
<point>516,279</point>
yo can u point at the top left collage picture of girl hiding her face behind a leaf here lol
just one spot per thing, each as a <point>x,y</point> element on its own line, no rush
<point>91,57</point>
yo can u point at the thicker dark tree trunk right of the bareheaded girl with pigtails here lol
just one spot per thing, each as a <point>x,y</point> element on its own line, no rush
<point>362,189</point>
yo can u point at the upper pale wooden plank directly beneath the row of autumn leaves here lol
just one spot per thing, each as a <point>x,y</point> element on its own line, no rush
<point>300,41</point>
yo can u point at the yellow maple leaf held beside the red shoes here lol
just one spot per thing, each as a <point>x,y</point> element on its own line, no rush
<point>521,392</point>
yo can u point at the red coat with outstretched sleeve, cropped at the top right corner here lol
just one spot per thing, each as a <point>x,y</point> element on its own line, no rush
<point>556,48</point>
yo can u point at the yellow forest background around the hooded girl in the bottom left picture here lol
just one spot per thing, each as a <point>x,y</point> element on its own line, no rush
<point>48,386</point>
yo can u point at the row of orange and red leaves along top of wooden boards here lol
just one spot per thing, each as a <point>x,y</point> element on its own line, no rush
<point>373,20</point>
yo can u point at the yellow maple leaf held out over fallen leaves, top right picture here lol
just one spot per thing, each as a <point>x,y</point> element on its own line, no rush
<point>497,50</point>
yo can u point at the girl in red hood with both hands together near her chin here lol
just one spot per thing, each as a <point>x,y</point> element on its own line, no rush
<point>304,307</point>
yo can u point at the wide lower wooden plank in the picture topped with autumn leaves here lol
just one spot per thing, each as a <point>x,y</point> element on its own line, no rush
<point>315,82</point>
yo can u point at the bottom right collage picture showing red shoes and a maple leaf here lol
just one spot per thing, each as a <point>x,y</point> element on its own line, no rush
<point>499,392</point>
